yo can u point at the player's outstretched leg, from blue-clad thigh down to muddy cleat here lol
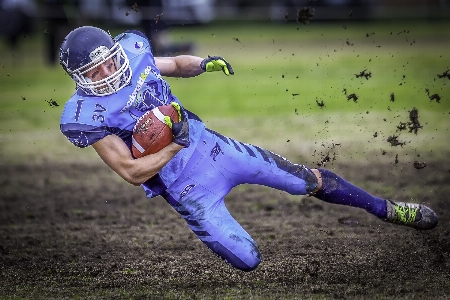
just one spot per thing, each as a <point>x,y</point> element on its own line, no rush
<point>259,166</point>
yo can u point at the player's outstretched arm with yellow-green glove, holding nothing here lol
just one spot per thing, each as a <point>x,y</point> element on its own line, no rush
<point>190,66</point>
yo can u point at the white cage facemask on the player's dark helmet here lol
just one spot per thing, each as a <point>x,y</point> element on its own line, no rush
<point>111,84</point>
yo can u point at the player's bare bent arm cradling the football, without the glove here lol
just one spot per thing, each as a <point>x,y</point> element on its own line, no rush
<point>115,153</point>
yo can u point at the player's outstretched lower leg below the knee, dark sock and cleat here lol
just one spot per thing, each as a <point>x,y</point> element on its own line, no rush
<point>334,189</point>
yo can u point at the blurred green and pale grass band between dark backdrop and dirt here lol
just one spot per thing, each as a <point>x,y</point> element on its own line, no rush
<point>281,71</point>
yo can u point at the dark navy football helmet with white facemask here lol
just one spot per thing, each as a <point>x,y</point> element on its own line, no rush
<point>87,47</point>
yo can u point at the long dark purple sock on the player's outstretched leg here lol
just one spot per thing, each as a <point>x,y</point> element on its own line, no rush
<point>339,191</point>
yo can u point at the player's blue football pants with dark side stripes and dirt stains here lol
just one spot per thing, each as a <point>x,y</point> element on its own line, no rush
<point>218,164</point>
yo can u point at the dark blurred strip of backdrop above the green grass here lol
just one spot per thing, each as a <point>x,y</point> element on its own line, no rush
<point>22,18</point>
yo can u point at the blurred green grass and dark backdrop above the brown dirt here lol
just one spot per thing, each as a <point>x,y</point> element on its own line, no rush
<point>295,65</point>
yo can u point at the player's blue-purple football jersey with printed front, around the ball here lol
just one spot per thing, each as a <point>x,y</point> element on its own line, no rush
<point>87,119</point>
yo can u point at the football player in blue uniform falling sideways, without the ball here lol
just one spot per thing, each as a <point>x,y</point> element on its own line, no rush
<point>118,80</point>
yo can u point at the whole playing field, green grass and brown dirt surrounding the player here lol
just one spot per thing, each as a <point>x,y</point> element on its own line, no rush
<point>71,228</point>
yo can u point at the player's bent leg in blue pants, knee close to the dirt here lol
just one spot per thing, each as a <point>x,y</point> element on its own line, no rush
<point>197,195</point>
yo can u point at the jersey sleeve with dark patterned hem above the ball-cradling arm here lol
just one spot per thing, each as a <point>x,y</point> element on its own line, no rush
<point>80,129</point>
